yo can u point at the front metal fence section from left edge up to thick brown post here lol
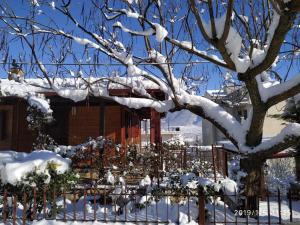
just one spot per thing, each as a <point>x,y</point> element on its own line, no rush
<point>100,204</point>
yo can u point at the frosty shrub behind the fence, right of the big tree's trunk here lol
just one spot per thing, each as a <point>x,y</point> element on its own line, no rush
<point>280,174</point>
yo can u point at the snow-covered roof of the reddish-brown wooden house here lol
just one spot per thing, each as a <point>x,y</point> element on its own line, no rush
<point>76,89</point>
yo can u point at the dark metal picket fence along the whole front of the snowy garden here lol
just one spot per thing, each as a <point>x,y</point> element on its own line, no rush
<point>109,203</point>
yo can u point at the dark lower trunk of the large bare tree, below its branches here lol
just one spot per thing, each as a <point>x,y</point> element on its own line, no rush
<point>252,183</point>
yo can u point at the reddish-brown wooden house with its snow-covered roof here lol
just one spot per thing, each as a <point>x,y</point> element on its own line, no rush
<point>74,121</point>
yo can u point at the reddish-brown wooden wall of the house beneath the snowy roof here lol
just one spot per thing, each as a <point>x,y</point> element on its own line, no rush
<point>73,124</point>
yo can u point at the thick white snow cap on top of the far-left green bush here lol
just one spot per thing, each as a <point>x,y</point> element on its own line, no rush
<point>17,166</point>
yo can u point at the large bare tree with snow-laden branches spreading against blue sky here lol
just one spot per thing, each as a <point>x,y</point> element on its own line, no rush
<point>161,42</point>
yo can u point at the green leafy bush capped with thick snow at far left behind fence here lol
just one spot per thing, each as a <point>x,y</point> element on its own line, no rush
<point>42,170</point>
